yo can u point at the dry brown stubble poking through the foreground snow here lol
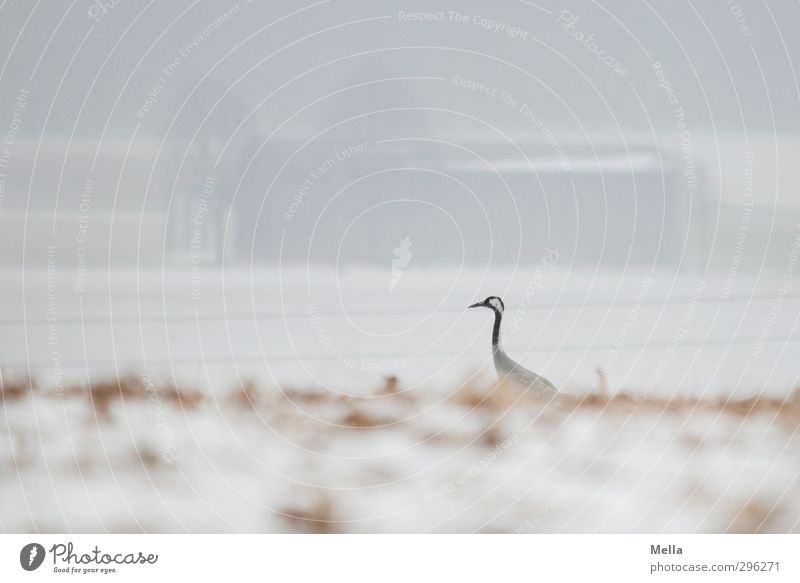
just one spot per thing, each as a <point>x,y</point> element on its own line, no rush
<point>312,417</point>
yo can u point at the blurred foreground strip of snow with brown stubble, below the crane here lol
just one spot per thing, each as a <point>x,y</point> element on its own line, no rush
<point>477,458</point>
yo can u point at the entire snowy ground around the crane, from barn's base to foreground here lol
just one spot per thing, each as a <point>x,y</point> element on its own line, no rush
<point>283,419</point>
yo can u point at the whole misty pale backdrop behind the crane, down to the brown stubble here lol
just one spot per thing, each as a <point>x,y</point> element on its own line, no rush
<point>330,184</point>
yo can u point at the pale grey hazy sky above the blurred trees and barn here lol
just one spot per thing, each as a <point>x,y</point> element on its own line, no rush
<point>728,62</point>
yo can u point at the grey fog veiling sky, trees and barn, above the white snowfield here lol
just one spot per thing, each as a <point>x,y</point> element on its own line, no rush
<point>623,134</point>
